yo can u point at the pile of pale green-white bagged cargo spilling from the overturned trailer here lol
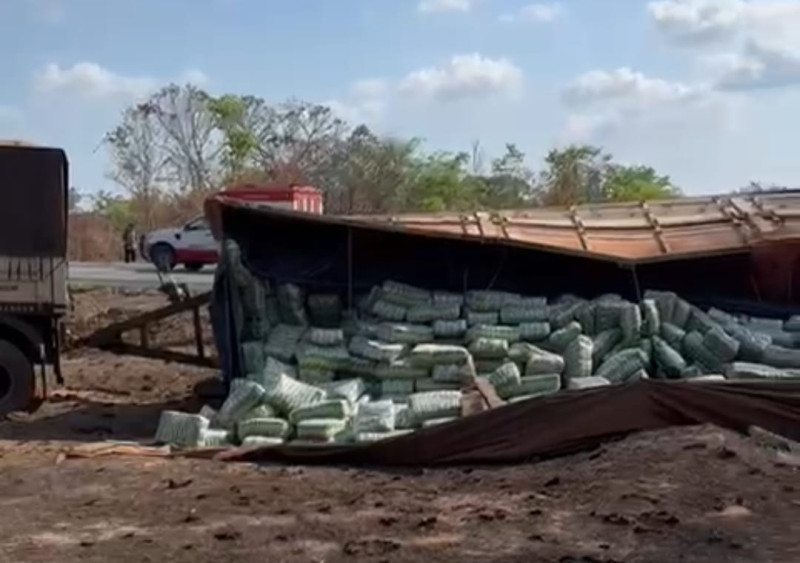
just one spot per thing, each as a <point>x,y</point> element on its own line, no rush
<point>399,359</point>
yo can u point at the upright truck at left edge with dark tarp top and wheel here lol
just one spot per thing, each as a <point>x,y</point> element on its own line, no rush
<point>33,267</point>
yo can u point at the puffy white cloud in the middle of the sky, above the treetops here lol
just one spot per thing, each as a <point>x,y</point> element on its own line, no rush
<point>464,76</point>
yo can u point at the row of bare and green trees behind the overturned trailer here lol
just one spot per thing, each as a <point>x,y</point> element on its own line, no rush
<point>168,152</point>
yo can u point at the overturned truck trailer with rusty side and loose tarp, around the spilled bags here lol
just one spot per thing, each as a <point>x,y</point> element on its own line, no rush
<point>711,251</point>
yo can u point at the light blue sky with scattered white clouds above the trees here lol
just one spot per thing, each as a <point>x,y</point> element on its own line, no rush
<point>707,91</point>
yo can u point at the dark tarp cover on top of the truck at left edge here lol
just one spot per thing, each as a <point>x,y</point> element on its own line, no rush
<point>33,216</point>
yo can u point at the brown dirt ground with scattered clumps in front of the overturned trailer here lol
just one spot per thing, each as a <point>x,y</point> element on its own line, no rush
<point>691,495</point>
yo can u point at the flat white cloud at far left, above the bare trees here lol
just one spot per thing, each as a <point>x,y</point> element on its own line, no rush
<point>90,80</point>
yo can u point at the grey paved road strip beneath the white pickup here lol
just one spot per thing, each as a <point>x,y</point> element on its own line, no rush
<point>134,276</point>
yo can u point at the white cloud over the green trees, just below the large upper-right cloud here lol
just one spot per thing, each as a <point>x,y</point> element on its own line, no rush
<point>626,85</point>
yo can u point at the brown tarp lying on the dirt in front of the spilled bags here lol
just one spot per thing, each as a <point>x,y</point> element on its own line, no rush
<point>564,424</point>
